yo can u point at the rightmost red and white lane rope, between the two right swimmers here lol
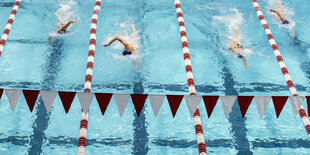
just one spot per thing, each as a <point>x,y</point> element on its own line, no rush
<point>286,75</point>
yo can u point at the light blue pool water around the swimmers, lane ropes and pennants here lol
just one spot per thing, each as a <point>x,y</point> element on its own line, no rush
<point>29,62</point>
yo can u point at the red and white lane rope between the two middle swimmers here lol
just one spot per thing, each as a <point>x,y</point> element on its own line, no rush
<point>190,79</point>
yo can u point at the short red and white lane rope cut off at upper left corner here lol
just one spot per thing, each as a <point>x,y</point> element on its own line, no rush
<point>9,25</point>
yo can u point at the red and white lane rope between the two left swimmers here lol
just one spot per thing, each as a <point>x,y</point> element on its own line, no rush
<point>88,77</point>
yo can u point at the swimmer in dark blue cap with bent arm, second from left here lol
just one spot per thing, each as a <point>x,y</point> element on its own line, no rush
<point>129,49</point>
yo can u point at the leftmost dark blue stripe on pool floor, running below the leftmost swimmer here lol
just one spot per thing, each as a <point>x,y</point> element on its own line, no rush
<point>50,70</point>
